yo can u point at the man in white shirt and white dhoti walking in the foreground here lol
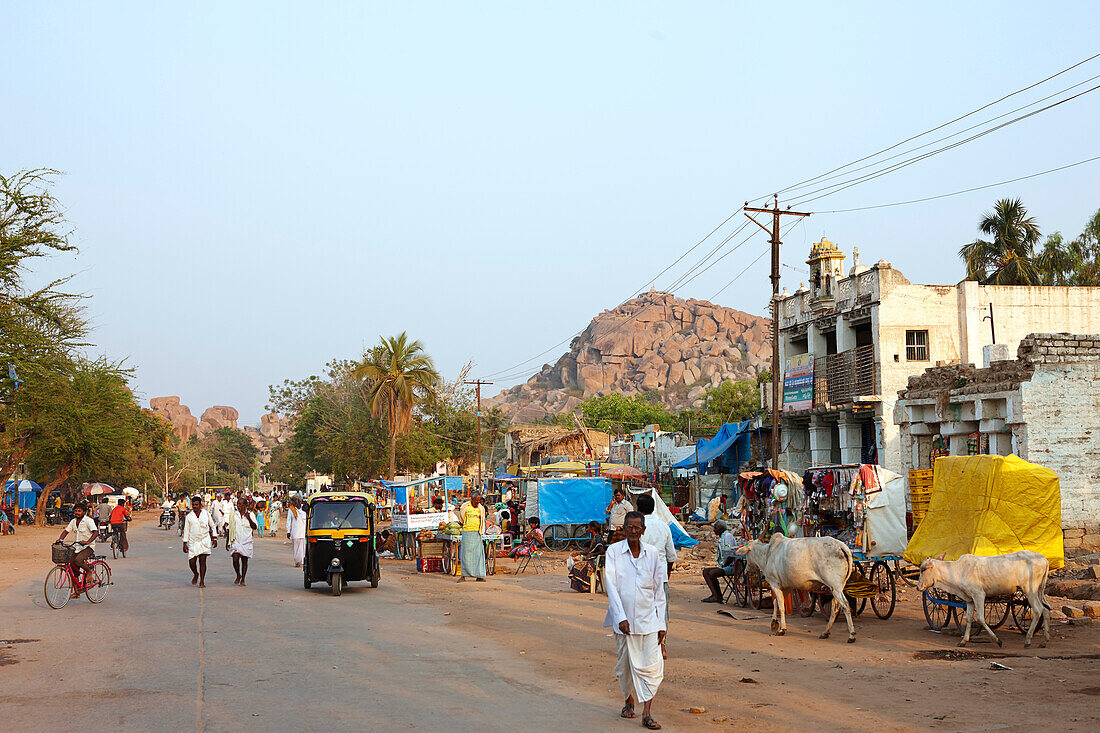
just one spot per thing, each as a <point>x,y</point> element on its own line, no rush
<point>635,579</point>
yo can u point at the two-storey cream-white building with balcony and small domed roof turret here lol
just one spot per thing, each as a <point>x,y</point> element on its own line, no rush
<point>868,331</point>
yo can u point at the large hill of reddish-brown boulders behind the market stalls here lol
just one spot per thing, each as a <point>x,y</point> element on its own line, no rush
<point>655,343</point>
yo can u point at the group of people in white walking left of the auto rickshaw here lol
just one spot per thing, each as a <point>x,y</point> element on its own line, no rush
<point>236,521</point>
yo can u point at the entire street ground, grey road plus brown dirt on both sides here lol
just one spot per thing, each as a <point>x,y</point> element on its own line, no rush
<point>540,653</point>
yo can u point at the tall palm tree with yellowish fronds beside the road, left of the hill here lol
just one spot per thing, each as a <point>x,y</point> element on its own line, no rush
<point>401,377</point>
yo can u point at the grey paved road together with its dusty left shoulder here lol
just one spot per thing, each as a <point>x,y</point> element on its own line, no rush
<point>160,654</point>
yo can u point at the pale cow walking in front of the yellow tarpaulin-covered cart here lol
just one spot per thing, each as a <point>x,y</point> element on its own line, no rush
<point>975,578</point>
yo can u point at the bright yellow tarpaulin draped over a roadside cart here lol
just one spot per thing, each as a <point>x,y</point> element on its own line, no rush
<point>991,506</point>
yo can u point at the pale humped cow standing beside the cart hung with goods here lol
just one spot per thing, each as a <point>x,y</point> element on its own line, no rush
<point>804,564</point>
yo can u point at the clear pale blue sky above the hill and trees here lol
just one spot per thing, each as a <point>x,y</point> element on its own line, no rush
<point>259,189</point>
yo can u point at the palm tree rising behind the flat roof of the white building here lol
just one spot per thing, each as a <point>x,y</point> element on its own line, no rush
<point>1010,258</point>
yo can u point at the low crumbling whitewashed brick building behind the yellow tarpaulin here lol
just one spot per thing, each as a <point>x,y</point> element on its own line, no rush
<point>1043,408</point>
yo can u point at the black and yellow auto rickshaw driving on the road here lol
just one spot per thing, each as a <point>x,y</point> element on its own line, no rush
<point>340,540</point>
